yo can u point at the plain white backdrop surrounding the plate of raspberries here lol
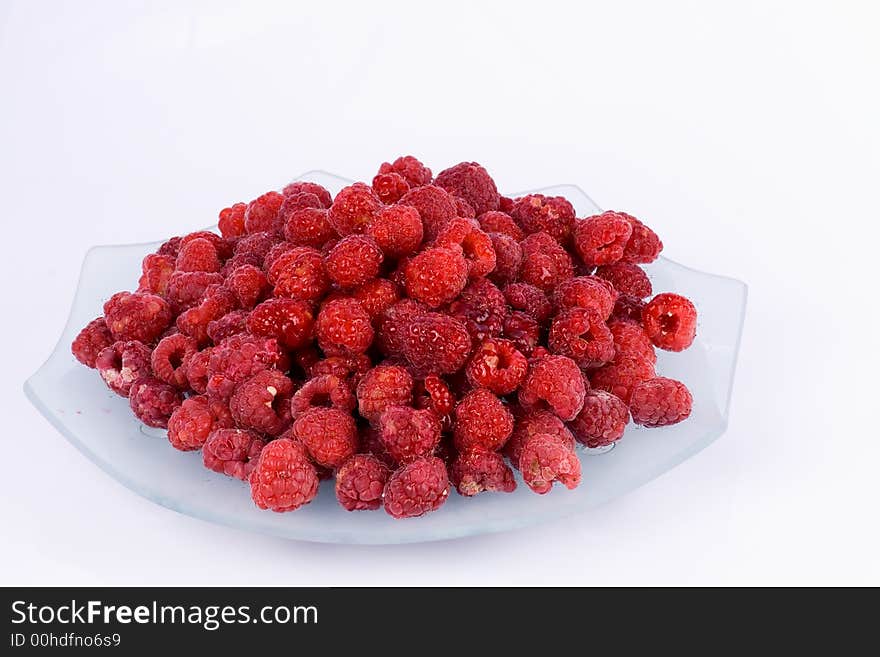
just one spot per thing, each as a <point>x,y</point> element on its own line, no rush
<point>746,133</point>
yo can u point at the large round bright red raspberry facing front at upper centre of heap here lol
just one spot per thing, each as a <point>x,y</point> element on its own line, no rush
<point>436,276</point>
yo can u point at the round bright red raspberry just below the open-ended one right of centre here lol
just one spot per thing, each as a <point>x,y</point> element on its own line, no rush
<point>482,421</point>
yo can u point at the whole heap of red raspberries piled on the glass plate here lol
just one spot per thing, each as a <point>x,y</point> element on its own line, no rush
<point>403,336</point>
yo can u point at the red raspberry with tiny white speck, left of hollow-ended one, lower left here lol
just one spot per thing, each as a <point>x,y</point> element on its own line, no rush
<point>262,402</point>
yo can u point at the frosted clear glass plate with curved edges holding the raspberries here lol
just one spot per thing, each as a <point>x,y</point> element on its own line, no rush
<point>100,424</point>
